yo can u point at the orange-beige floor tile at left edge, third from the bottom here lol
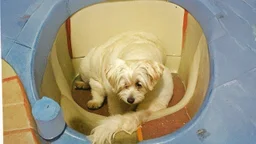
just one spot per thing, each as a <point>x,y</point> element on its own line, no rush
<point>12,93</point>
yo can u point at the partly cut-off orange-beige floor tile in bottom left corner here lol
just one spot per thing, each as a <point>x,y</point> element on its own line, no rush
<point>22,137</point>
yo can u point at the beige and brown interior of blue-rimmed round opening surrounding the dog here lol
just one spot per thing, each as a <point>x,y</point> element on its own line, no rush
<point>186,51</point>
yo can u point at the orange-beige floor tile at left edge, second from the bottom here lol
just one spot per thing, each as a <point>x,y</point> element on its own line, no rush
<point>15,117</point>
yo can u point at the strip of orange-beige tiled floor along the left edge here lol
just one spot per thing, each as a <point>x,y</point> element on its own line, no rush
<point>19,127</point>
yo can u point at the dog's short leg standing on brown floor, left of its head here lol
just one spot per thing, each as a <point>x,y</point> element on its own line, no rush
<point>98,95</point>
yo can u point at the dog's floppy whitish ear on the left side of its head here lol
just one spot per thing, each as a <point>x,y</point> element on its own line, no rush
<point>113,73</point>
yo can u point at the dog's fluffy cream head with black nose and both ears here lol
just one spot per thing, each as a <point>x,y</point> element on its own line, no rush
<point>131,80</point>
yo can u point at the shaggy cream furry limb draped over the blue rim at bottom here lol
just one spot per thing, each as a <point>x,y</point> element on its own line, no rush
<point>128,122</point>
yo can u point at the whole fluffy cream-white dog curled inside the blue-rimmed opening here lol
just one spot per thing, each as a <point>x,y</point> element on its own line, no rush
<point>129,65</point>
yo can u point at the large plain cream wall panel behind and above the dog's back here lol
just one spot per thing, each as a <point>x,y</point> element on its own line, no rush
<point>165,20</point>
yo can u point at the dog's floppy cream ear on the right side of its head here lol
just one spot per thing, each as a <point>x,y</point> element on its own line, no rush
<point>154,71</point>
